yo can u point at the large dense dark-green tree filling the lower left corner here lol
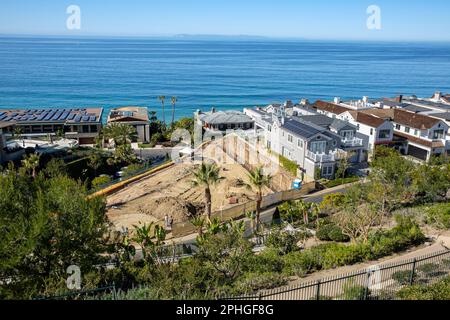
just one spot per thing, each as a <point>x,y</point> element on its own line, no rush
<point>47,225</point>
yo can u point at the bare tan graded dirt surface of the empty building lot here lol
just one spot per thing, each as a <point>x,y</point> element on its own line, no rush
<point>171,192</point>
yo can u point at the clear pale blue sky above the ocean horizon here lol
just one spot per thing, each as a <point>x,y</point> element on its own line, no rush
<point>317,19</point>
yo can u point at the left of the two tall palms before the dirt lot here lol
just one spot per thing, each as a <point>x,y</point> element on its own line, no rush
<point>206,176</point>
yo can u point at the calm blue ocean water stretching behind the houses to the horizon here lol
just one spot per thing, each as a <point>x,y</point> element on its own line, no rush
<point>62,72</point>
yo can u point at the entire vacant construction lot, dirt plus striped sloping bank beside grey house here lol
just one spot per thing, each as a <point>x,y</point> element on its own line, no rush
<point>171,191</point>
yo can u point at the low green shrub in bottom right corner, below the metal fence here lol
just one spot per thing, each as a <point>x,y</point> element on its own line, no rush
<point>436,291</point>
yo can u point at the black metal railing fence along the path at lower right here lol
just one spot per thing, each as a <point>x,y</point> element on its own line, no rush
<point>379,282</point>
